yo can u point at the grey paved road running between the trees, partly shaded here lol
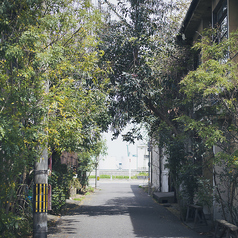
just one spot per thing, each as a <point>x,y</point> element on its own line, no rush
<point>121,209</point>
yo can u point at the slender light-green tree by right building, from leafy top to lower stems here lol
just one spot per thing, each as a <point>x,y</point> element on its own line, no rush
<point>212,88</point>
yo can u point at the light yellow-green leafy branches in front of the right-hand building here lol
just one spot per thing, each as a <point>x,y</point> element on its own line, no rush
<point>213,87</point>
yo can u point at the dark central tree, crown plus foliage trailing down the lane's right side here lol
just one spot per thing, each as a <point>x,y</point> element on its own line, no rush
<point>147,67</point>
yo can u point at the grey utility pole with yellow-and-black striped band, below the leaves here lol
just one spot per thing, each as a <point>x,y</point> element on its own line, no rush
<point>40,196</point>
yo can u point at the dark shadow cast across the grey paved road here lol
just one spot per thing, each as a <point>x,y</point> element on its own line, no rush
<point>148,218</point>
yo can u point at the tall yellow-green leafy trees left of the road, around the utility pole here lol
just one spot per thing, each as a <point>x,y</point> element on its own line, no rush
<point>50,86</point>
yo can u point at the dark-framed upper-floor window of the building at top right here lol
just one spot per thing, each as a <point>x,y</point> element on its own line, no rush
<point>220,21</point>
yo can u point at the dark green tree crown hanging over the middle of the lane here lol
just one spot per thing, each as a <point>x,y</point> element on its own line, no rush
<point>144,79</point>
